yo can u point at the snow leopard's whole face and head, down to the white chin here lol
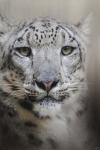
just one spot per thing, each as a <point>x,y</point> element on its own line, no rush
<point>42,65</point>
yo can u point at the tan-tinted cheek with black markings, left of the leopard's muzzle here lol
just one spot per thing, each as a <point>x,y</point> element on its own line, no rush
<point>12,85</point>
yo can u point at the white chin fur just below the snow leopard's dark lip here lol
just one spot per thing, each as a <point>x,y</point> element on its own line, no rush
<point>45,109</point>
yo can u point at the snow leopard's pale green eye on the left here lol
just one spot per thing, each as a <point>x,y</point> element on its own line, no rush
<point>24,51</point>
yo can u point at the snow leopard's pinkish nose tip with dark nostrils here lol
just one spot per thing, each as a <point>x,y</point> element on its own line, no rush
<point>46,85</point>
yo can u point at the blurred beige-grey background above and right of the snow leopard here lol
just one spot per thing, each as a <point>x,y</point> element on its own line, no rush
<point>68,11</point>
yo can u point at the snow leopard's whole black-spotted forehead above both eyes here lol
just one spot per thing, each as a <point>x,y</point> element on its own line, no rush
<point>41,32</point>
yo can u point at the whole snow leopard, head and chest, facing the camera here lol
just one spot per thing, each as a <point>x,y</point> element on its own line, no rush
<point>43,85</point>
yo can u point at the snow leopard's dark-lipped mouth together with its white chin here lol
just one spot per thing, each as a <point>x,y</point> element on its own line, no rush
<point>47,106</point>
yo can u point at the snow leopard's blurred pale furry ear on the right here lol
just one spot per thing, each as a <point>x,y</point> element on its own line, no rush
<point>84,26</point>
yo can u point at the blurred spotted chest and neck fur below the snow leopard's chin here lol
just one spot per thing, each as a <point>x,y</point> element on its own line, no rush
<point>28,132</point>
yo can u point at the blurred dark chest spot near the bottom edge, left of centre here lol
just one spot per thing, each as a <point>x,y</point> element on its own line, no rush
<point>34,140</point>
